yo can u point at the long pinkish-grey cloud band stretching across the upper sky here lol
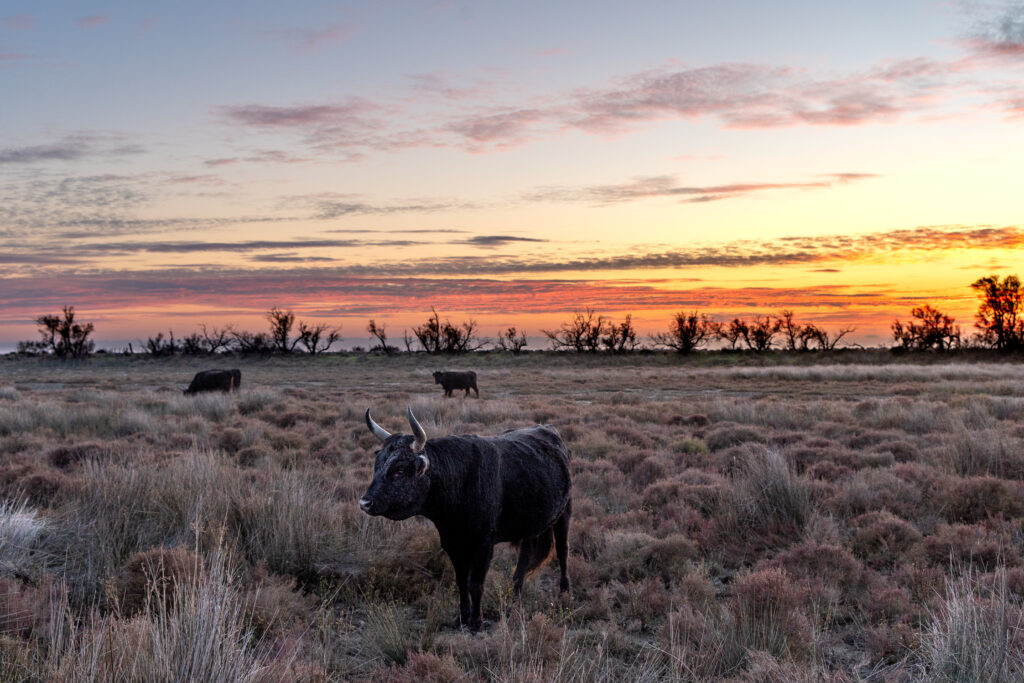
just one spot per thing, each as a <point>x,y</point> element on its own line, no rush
<point>739,96</point>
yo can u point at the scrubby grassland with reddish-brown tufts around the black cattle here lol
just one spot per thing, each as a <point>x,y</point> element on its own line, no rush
<point>855,518</point>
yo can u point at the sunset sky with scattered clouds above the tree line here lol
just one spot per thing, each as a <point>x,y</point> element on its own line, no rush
<point>169,165</point>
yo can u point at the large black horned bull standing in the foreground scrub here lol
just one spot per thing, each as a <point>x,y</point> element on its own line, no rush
<point>478,492</point>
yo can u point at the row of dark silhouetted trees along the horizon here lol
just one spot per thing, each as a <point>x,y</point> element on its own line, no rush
<point>1000,324</point>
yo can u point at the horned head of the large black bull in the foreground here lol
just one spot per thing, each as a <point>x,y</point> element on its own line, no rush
<point>400,487</point>
